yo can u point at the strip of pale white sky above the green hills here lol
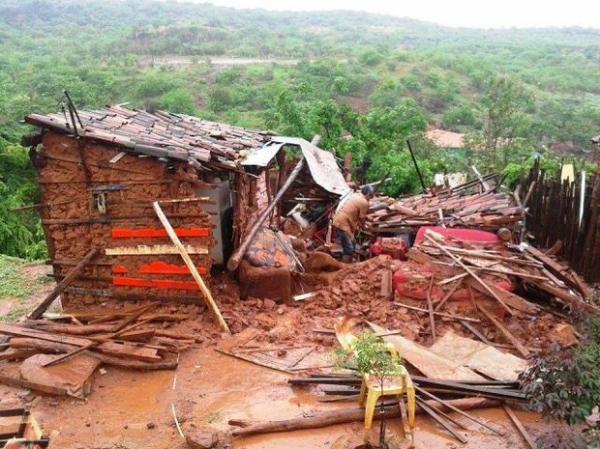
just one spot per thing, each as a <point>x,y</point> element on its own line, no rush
<point>467,13</point>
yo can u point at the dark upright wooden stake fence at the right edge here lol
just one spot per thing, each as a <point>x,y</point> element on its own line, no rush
<point>554,214</point>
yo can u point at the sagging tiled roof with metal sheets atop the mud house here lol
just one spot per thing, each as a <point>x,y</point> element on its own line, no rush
<point>203,144</point>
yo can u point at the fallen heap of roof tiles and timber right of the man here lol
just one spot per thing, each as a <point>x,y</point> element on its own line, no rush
<point>469,205</point>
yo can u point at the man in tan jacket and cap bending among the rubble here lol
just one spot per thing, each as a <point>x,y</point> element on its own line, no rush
<point>349,216</point>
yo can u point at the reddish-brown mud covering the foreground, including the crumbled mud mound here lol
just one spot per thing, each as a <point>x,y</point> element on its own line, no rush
<point>133,409</point>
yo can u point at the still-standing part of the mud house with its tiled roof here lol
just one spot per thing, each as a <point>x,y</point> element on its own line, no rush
<point>100,172</point>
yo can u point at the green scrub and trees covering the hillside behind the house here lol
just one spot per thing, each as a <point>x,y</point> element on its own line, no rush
<point>364,82</point>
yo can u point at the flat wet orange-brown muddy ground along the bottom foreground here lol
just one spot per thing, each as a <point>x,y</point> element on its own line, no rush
<point>133,410</point>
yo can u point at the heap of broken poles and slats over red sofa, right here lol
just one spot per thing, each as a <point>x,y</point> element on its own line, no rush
<point>490,279</point>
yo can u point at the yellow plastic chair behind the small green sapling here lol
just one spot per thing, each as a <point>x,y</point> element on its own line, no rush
<point>371,388</point>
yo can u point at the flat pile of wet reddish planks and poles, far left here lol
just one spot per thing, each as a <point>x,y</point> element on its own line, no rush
<point>134,338</point>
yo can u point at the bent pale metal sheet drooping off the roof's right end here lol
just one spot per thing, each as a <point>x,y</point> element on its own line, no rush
<point>321,164</point>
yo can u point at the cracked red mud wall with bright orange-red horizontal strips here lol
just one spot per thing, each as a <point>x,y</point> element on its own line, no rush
<point>72,174</point>
